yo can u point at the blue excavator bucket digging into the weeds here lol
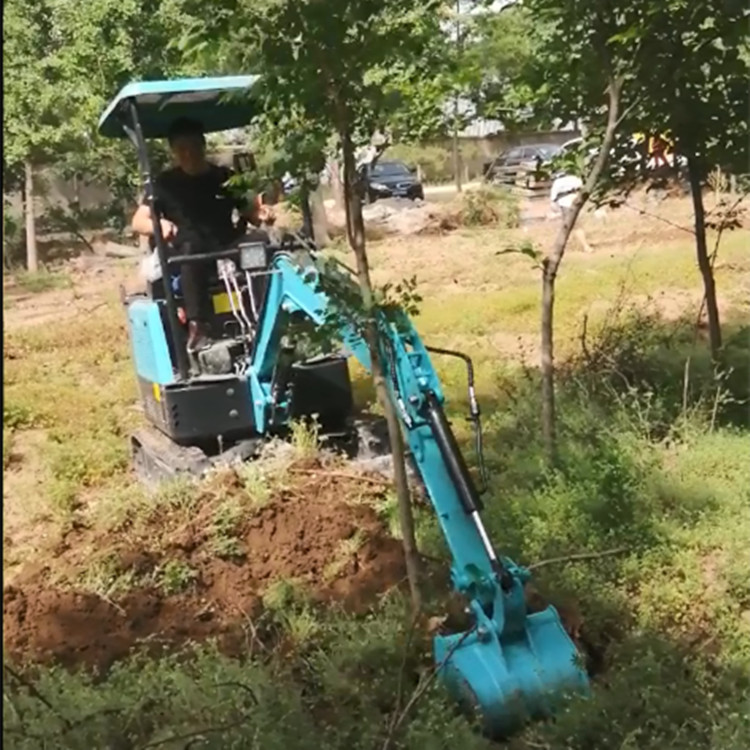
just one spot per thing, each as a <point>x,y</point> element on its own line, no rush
<point>506,679</point>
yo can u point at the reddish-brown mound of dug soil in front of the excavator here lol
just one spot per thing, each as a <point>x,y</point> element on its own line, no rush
<point>168,581</point>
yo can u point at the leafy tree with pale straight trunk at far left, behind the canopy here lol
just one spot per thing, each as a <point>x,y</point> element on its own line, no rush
<point>62,63</point>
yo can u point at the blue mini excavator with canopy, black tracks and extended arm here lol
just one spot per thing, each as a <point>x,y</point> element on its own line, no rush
<point>510,665</point>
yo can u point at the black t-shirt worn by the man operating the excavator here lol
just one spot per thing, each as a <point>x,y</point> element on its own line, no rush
<point>200,206</point>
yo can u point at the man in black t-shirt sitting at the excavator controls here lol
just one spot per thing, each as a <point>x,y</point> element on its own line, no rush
<point>197,209</point>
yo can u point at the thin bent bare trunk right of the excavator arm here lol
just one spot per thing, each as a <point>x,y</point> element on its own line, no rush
<point>550,267</point>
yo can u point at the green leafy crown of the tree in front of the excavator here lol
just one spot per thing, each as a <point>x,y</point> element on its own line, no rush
<point>373,64</point>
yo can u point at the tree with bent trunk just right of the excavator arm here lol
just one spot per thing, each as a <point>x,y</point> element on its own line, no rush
<point>575,73</point>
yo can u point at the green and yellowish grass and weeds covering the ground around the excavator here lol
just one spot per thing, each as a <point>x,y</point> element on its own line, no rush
<point>653,462</point>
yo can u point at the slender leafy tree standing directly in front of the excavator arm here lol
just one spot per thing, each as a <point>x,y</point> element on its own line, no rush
<point>356,69</point>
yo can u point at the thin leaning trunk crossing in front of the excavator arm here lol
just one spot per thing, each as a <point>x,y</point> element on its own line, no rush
<point>356,235</point>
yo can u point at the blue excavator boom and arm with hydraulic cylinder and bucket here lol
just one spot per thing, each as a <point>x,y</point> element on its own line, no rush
<point>510,666</point>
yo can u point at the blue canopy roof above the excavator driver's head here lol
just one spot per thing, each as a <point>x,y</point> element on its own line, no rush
<point>218,103</point>
